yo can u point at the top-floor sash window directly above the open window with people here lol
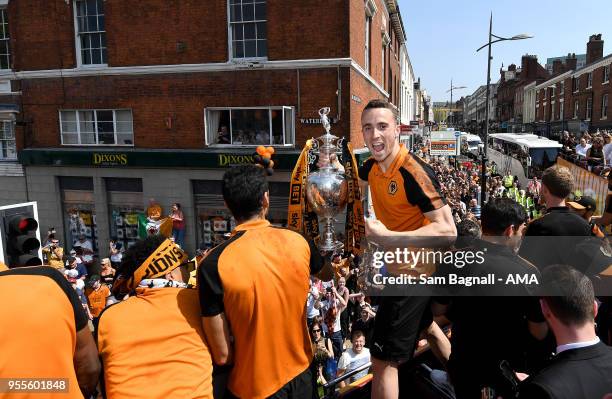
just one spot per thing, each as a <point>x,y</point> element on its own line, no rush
<point>248,30</point>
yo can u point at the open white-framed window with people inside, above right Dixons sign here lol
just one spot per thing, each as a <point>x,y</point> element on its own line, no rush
<point>250,126</point>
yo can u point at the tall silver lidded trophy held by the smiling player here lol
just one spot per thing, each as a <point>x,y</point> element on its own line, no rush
<point>327,188</point>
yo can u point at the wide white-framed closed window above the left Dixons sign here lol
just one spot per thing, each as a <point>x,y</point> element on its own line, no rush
<point>97,127</point>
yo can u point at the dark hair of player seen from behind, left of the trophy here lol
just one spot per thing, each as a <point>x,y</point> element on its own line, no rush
<point>244,187</point>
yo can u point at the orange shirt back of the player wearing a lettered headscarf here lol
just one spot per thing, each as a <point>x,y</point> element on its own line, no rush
<point>152,346</point>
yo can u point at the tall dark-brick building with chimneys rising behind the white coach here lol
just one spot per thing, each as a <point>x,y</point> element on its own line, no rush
<point>509,108</point>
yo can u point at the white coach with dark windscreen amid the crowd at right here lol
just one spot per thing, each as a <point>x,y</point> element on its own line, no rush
<point>522,155</point>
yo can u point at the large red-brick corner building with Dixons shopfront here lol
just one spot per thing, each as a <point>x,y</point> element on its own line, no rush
<point>111,102</point>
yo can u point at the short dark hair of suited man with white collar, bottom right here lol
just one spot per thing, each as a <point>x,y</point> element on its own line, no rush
<point>570,294</point>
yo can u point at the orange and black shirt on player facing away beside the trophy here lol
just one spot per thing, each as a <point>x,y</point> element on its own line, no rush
<point>260,279</point>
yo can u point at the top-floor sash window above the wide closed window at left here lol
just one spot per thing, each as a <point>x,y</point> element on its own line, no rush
<point>90,32</point>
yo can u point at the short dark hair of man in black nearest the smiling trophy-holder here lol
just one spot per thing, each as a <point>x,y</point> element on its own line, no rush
<point>499,213</point>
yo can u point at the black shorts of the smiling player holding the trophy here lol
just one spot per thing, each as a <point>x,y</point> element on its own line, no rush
<point>399,322</point>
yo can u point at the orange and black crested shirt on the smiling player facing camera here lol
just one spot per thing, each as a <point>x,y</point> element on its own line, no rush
<point>402,194</point>
